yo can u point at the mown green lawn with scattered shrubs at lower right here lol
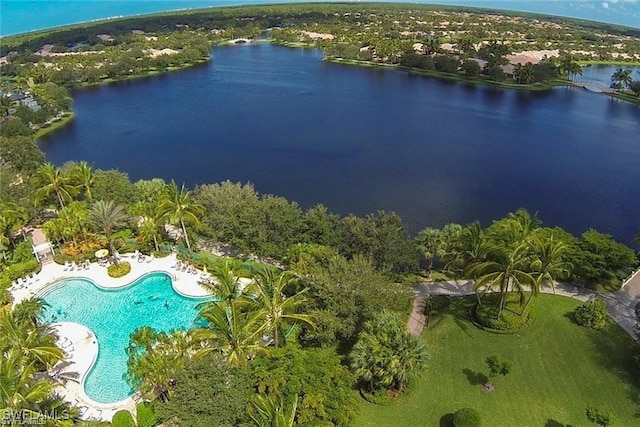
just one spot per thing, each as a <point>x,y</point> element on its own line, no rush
<point>558,369</point>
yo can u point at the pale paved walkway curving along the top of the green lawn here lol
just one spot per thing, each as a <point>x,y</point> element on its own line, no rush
<point>620,305</point>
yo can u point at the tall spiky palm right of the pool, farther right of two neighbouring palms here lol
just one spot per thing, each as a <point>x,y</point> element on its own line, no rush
<point>269,287</point>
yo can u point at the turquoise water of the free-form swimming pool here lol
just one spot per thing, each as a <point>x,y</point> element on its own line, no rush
<point>113,315</point>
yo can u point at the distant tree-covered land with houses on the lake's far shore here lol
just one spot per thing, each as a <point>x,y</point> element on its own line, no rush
<point>479,46</point>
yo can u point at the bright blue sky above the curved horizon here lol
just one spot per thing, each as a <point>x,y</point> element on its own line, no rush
<point>18,16</point>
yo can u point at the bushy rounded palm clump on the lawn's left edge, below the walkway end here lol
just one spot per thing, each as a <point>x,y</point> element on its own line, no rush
<point>385,355</point>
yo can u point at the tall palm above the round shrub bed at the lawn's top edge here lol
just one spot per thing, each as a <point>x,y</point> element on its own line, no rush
<point>505,269</point>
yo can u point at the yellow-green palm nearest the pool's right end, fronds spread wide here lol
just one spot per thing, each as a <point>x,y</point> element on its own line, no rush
<point>234,328</point>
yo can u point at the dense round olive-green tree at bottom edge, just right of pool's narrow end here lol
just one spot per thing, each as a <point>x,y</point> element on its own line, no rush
<point>208,392</point>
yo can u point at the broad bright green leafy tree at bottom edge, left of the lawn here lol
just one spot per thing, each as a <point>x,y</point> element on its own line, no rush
<point>313,376</point>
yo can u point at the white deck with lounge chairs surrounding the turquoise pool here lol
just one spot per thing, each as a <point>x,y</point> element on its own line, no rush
<point>79,343</point>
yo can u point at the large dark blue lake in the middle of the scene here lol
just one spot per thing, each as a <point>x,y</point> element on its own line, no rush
<point>359,140</point>
